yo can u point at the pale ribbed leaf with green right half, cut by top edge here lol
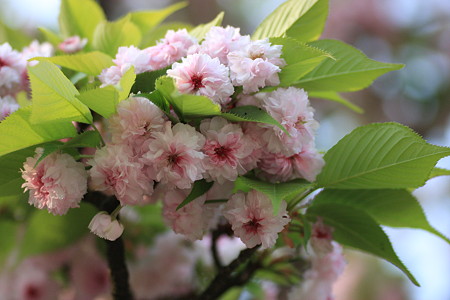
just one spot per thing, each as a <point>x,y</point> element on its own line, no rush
<point>303,20</point>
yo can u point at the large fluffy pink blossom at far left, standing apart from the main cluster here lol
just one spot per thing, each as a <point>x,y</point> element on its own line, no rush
<point>57,183</point>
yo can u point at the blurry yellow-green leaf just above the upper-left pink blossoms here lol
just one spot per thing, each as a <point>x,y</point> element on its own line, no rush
<point>109,36</point>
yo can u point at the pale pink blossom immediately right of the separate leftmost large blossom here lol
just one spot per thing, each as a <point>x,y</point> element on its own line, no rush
<point>115,172</point>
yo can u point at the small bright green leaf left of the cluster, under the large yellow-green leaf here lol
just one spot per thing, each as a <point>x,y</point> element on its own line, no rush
<point>101,100</point>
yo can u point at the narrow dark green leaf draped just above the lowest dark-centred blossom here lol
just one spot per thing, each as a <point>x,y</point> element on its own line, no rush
<point>277,192</point>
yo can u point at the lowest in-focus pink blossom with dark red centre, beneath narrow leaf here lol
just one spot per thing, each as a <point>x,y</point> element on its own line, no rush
<point>252,219</point>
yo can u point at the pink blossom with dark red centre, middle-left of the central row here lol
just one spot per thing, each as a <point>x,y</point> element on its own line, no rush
<point>175,156</point>
